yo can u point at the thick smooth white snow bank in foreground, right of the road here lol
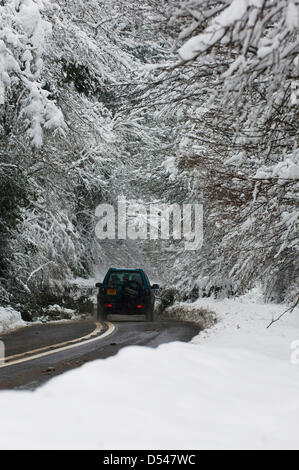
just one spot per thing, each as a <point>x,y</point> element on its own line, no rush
<point>235,385</point>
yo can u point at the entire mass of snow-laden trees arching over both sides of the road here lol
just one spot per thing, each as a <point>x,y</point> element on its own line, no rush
<point>184,101</point>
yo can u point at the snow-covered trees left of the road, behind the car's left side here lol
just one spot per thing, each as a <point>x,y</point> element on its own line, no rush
<point>90,56</point>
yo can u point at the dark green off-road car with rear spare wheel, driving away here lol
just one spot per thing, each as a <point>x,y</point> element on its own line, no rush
<point>125,291</point>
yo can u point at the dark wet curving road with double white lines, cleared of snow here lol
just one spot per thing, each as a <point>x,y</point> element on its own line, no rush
<point>35,354</point>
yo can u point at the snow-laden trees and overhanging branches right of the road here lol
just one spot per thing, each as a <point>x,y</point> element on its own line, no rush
<point>236,82</point>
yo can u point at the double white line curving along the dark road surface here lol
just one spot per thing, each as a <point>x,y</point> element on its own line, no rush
<point>91,337</point>
